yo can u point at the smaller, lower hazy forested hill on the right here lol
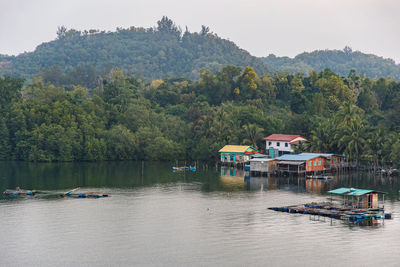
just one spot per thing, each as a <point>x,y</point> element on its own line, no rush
<point>339,61</point>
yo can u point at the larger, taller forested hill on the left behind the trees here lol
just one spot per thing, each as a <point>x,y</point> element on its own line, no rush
<point>153,53</point>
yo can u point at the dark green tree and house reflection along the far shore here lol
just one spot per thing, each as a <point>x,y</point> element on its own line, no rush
<point>63,176</point>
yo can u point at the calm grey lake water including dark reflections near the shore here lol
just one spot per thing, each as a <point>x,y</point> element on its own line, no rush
<point>156,217</point>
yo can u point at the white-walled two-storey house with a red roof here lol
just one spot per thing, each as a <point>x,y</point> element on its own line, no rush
<point>278,144</point>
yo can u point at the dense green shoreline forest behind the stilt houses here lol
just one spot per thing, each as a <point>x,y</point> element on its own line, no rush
<point>124,117</point>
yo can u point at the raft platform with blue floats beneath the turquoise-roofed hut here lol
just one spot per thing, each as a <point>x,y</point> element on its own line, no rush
<point>335,211</point>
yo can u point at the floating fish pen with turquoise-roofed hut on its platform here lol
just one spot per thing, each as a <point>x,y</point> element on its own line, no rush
<point>365,206</point>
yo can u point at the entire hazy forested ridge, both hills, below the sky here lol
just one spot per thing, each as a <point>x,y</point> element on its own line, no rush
<point>167,51</point>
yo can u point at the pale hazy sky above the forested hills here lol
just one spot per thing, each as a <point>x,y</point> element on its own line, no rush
<point>262,27</point>
